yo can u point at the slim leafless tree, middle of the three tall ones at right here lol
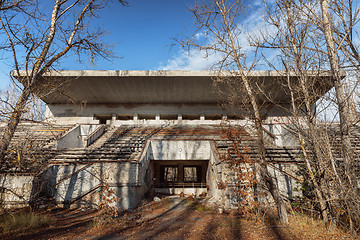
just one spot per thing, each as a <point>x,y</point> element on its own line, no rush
<point>292,38</point>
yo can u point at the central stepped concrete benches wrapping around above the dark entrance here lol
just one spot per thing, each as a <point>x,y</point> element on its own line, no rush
<point>126,143</point>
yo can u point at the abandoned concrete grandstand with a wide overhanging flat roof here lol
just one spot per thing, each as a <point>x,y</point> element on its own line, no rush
<point>140,133</point>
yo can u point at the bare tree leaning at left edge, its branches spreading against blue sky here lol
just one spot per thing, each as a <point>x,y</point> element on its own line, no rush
<point>38,41</point>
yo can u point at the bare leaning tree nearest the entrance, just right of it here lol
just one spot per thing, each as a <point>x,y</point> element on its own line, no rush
<point>219,21</point>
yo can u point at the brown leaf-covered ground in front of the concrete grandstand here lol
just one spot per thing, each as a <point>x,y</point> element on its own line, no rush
<point>175,218</point>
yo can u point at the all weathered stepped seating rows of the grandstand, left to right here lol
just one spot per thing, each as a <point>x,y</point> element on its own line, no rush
<point>125,143</point>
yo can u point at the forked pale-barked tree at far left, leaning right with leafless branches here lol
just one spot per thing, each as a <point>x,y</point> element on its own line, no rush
<point>39,55</point>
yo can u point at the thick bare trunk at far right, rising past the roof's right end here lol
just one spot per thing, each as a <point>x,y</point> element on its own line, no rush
<point>347,150</point>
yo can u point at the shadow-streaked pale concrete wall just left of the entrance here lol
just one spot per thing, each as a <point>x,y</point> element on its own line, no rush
<point>90,182</point>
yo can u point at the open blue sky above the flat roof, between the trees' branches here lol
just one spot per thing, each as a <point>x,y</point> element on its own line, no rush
<point>143,36</point>
